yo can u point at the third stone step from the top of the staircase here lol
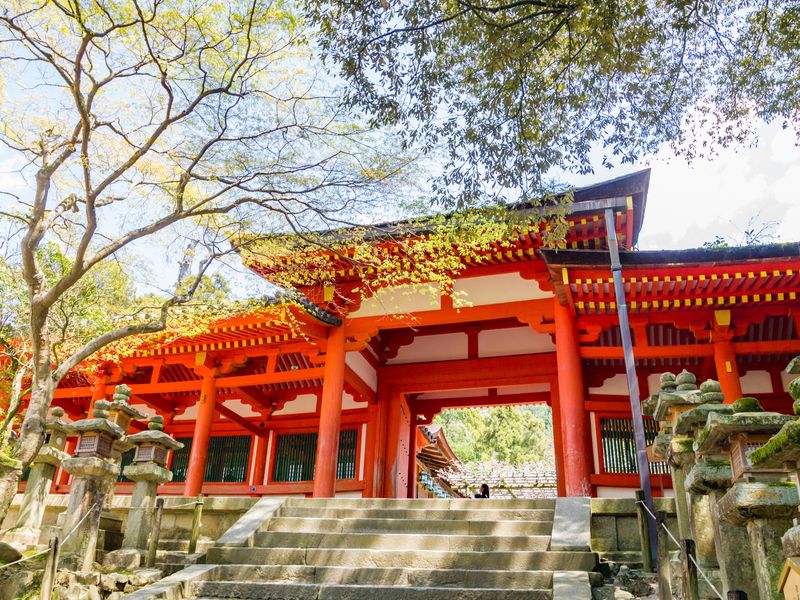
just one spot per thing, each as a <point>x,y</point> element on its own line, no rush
<point>410,526</point>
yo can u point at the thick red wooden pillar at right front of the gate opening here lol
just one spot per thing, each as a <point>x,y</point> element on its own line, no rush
<point>577,457</point>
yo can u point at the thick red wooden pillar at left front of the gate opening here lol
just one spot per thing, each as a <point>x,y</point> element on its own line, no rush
<point>330,416</point>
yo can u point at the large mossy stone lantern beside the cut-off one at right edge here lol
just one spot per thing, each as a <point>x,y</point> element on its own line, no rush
<point>758,498</point>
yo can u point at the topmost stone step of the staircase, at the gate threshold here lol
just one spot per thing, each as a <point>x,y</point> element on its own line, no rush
<point>426,503</point>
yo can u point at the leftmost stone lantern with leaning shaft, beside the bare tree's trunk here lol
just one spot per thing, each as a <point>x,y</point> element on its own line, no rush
<point>43,468</point>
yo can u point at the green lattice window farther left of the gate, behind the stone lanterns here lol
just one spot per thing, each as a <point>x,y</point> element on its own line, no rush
<point>227,460</point>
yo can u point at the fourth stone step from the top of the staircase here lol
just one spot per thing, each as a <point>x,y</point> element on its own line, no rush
<point>391,541</point>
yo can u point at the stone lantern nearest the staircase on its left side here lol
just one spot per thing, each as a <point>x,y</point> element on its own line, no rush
<point>148,470</point>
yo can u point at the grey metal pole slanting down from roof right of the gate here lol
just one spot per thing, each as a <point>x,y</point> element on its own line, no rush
<point>630,371</point>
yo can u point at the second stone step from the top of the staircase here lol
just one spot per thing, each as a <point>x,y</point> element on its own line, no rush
<point>419,514</point>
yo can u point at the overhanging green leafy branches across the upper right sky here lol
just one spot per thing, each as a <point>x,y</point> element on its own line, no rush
<point>511,90</point>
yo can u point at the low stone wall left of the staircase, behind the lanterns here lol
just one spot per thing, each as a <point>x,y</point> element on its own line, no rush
<point>219,513</point>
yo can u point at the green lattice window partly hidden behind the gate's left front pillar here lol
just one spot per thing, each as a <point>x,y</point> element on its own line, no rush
<point>296,455</point>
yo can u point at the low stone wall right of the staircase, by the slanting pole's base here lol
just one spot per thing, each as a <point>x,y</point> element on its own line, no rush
<point>615,528</point>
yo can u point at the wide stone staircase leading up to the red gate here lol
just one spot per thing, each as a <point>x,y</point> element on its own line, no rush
<point>348,549</point>
